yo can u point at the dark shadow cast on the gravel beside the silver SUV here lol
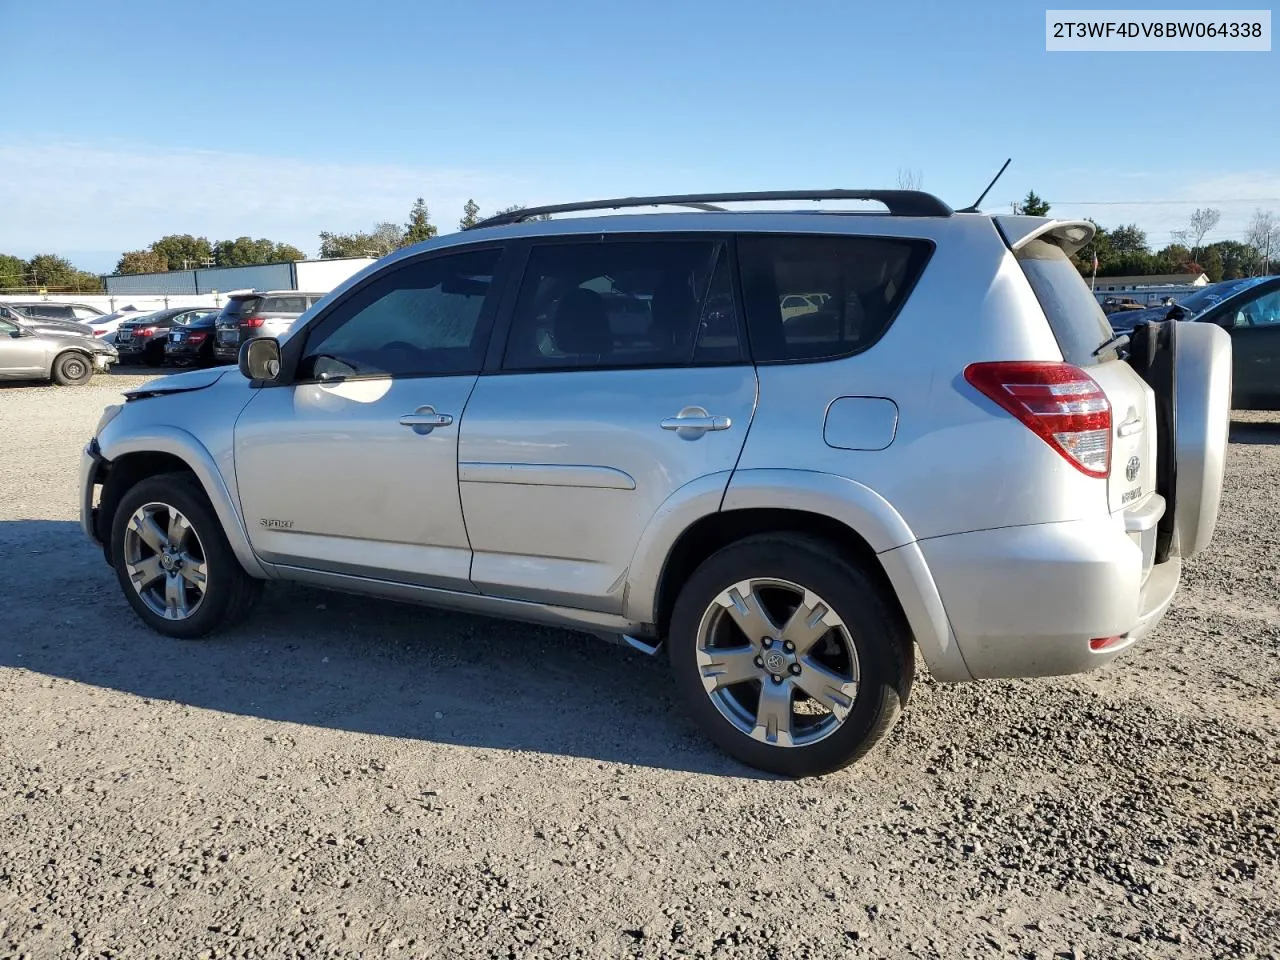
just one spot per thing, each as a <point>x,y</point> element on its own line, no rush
<point>350,664</point>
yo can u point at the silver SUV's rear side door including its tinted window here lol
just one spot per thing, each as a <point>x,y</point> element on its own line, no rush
<point>624,380</point>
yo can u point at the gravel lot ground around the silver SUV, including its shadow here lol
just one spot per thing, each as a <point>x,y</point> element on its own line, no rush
<point>345,778</point>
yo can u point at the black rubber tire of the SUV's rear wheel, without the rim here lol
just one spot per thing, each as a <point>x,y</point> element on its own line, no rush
<point>875,625</point>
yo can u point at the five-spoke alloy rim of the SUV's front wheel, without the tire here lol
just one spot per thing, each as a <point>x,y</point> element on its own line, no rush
<point>166,561</point>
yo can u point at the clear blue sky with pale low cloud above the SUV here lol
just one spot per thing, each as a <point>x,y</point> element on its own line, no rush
<point>282,118</point>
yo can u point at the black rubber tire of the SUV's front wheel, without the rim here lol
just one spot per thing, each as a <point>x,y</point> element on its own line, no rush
<point>230,592</point>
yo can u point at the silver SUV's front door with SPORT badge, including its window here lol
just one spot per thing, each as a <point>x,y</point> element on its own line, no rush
<point>353,469</point>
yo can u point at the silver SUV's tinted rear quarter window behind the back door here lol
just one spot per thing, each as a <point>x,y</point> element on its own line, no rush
<point>821,298</point>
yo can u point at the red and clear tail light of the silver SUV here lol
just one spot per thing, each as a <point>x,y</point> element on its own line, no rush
<point>1062,405</point>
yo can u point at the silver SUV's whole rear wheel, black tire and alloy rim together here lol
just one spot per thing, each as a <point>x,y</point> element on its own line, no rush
<point>789,656</point>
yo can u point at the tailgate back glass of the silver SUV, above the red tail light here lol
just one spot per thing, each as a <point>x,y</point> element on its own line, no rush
<point>1073,313</point>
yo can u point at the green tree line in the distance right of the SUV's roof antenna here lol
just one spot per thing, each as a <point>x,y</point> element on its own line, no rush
<point>1124,252</point>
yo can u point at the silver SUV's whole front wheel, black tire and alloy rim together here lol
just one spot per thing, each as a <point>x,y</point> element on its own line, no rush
<point>173,561</point>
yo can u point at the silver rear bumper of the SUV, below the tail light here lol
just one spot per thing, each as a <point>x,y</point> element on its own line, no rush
<point>1027,601</point>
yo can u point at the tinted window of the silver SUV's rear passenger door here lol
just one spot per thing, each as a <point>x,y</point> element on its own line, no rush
<point>624,304</point>
